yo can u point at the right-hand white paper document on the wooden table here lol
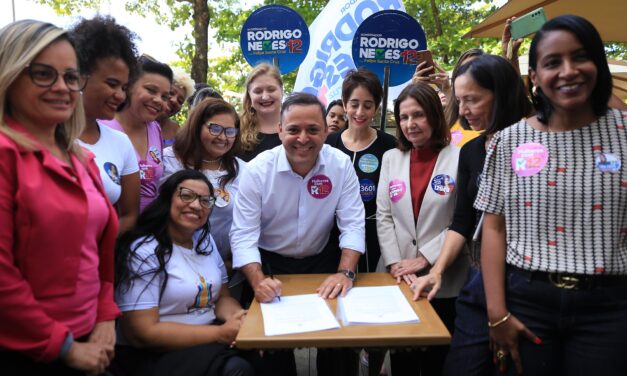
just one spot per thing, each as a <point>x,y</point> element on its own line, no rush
<point>375,305</point>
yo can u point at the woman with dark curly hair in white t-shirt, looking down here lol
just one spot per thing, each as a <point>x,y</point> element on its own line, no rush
<point>106,52</point>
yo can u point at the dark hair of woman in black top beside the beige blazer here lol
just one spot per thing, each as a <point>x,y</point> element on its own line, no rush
<point>497,75</point>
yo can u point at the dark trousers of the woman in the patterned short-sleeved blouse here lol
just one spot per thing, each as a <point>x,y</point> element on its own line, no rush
<point>583,331</point>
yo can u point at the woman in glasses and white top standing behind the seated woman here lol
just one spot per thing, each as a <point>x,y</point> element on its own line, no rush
<point>208,143</point>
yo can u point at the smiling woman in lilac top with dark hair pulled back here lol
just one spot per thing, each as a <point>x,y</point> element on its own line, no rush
<point>148,94</point>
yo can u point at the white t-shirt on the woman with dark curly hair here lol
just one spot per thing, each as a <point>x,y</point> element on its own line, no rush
<point>115,157</point>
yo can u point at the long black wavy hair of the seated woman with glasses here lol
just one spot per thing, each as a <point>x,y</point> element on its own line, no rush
<point>153,224</point>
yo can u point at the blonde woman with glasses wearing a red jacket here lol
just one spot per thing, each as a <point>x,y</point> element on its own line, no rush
<point>57,227</point>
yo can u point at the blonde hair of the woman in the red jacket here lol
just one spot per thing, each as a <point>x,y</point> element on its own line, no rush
<point>20,43</point>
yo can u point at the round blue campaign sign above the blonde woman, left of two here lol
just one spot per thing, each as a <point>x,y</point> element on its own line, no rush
<point>275,31</point>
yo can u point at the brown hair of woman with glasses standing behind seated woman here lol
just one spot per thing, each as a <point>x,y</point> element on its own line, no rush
<point>188,147</point>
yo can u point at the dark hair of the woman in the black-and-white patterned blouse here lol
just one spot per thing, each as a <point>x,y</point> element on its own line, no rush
<point>591,41</point>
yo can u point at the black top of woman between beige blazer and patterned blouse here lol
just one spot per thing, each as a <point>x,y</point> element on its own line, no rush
<point>471,159</point>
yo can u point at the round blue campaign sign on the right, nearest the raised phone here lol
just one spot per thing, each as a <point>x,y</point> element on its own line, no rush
<point>389,38</point>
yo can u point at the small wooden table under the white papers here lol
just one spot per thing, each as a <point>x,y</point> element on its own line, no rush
<point>430,330</point>
